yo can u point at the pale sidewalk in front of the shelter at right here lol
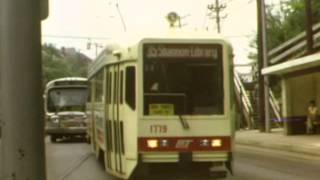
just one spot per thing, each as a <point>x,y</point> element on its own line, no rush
<point>277,140</point>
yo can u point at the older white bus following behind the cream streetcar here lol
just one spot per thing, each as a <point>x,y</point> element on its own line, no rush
<point>65,107</point>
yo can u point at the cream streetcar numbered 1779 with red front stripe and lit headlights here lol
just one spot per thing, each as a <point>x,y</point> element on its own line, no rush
<point>163,100</point>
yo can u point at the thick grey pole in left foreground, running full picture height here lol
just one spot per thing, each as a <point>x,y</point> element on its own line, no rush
<point>21,94</point>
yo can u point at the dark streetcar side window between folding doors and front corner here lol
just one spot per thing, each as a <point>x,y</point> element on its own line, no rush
<point>130,97</point>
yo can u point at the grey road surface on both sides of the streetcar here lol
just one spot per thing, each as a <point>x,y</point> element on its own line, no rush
<point>74,161</point>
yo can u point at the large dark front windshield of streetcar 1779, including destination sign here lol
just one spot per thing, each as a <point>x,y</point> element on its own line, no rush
<point>183,85</point>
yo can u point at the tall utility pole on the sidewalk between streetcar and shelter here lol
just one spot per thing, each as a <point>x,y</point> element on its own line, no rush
<point>263,89</point>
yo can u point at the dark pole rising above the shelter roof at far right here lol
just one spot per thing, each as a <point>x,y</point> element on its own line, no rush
<point>309,20</point>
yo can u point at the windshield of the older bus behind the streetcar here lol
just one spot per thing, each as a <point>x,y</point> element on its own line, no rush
<point>67,99</point>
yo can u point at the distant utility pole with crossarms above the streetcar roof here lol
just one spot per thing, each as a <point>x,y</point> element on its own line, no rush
<point>217,9</point>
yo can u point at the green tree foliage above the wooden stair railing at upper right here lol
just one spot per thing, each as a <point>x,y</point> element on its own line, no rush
<point>286,22</point>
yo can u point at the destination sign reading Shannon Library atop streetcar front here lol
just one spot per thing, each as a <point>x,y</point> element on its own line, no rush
<point>182,51</point>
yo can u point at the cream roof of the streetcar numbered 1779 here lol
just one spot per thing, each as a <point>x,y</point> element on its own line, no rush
<point>127,45</point>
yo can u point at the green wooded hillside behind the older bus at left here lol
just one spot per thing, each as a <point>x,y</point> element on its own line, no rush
<point>58,63</point>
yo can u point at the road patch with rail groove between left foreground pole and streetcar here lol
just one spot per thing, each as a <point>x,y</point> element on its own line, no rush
<point>72,160</point>
